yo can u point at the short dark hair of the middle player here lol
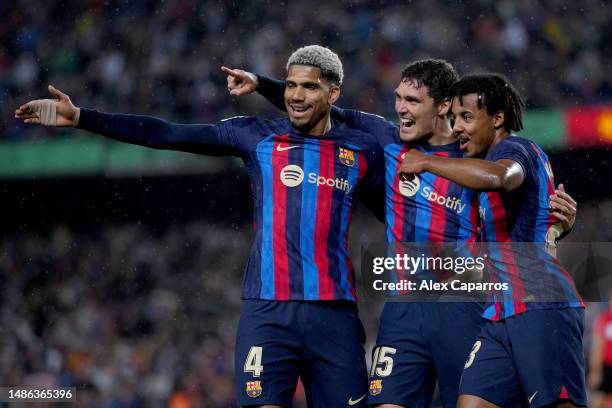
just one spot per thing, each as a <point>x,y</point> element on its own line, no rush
<point>436,74</point>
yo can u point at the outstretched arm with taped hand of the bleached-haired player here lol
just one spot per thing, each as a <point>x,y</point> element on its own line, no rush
<point>142,130</point>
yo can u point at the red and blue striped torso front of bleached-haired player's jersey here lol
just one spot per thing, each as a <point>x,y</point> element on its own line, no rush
<point>304,223</point>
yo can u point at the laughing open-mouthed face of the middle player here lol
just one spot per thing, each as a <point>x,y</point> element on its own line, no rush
<point>416,110</point>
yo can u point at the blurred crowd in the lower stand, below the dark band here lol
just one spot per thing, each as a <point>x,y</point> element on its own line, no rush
<point>133,316</point>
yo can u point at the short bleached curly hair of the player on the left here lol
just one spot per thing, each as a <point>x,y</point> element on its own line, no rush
<point>320,57</point>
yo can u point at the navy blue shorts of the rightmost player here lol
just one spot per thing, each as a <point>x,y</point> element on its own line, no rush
<point>529,360</point>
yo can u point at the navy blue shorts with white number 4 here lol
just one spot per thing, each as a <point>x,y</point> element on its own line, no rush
<point>320,342</point>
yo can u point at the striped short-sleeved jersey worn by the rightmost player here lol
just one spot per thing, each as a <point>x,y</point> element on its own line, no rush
<point>522,216</point>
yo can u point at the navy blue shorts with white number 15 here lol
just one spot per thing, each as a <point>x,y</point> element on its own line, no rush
<point>419,342</point>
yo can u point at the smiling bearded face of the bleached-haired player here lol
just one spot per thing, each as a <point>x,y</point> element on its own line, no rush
<point>308,99</point>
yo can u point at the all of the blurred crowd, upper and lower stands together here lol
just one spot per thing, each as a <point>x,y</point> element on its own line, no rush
<point>136,316</point>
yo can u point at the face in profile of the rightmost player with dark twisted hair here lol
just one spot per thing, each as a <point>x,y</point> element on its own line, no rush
<point>474,127</point>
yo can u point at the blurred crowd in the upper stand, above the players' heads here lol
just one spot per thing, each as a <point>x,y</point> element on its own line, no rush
<point>163,58</point>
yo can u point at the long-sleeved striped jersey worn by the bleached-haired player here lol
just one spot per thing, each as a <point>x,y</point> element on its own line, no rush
<point>303,190</point>
